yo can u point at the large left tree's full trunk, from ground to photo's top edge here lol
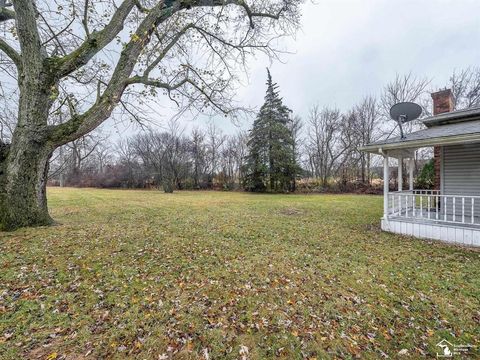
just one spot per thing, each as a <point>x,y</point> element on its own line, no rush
<point>25,166</point>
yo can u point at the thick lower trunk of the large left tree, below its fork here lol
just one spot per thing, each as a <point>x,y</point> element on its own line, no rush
<point>25,165</point>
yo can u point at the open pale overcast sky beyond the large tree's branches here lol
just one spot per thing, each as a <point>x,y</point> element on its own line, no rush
<point>347,49</point>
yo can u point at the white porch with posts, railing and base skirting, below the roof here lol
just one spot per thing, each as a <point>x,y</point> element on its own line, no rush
<point>430,214</point>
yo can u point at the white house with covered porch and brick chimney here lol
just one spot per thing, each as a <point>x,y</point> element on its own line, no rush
<point>451,212</point>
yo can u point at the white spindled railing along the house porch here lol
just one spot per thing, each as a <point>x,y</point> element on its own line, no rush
<point>430,205</point>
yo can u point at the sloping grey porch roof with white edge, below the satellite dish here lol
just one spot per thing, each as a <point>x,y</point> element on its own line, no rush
<point>446,134</point>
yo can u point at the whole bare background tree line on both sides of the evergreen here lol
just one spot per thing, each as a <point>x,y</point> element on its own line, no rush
<point>326,145</point>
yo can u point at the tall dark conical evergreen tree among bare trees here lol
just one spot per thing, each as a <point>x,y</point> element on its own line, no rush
<point>271,164</point>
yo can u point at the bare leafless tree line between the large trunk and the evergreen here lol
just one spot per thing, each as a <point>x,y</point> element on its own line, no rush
<point>170,159</point>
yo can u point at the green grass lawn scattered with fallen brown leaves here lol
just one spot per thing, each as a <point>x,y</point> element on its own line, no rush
<point>215,275</point>
